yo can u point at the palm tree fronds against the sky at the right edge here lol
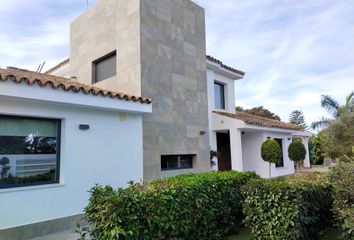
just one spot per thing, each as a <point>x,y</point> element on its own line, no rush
<point>334,109</point>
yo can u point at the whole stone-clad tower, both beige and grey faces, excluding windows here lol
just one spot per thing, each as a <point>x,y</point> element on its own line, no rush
<point>160,47</point>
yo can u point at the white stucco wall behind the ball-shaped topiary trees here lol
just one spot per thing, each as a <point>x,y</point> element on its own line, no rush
<point>251,153</point>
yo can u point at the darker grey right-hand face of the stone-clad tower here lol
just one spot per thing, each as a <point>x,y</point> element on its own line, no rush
<point>173,74</point>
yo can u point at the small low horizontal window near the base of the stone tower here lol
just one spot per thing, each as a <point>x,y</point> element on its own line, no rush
<point>171,162</point>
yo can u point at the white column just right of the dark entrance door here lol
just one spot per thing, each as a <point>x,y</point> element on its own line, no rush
<point>236,150</point>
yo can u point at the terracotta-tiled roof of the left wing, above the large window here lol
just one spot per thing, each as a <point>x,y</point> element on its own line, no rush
<point>21,75</point>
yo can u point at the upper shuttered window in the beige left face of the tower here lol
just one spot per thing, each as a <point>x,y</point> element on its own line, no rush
<point>104,67</point>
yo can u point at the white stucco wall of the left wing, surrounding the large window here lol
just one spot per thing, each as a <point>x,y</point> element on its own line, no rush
<point>110,152</point>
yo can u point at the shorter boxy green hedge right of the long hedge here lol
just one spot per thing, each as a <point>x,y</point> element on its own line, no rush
<point>287,208</point>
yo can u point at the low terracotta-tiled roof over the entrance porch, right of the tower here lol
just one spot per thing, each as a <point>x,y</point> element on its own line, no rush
<point>258,121</point>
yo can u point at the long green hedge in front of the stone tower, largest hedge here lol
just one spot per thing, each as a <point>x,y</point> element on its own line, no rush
<point>193,206</point>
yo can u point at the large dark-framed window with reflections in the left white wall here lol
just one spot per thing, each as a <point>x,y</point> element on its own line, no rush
<point>29,151</point>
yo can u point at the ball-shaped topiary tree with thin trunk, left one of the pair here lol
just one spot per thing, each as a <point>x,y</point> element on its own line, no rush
<point>271,152</point>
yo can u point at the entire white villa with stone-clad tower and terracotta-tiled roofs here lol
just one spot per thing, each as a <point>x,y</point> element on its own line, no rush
<point>138,99</point>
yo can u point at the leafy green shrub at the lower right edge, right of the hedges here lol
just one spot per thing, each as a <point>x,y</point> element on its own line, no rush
<point>342,179</point>
